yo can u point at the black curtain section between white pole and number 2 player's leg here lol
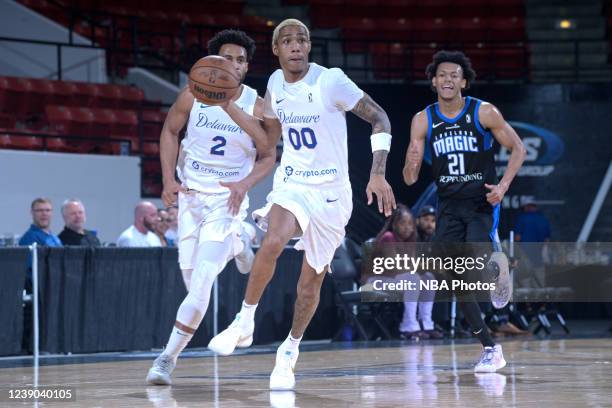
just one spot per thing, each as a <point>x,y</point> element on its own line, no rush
<point>108,299</point>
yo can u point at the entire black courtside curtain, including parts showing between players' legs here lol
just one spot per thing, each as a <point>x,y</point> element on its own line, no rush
<point>116,299</point>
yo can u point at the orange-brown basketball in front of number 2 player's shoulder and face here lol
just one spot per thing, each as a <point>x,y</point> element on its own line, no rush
<point>212,80</point>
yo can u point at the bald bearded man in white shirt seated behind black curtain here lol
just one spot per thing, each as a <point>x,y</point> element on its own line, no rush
<point>142,233</point>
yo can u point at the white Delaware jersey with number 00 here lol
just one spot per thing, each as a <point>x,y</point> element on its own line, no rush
<point>312,113</point>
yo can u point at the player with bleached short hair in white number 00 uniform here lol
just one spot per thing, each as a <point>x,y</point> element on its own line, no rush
<point>311,197</point>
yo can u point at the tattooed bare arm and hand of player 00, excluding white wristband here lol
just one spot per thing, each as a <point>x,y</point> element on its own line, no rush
<point>372,113</point>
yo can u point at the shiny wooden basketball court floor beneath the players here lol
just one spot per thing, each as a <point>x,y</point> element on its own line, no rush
<point>568,372</point>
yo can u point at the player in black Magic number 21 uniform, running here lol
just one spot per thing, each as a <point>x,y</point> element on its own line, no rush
<point>459,132</point>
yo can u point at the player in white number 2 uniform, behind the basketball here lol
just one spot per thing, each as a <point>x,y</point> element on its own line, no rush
<point>217,166</point>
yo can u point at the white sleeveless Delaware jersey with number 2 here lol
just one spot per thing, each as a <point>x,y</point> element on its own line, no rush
<point>215,148</point>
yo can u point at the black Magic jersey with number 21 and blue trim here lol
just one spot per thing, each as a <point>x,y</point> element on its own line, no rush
<point>461,152</point>
